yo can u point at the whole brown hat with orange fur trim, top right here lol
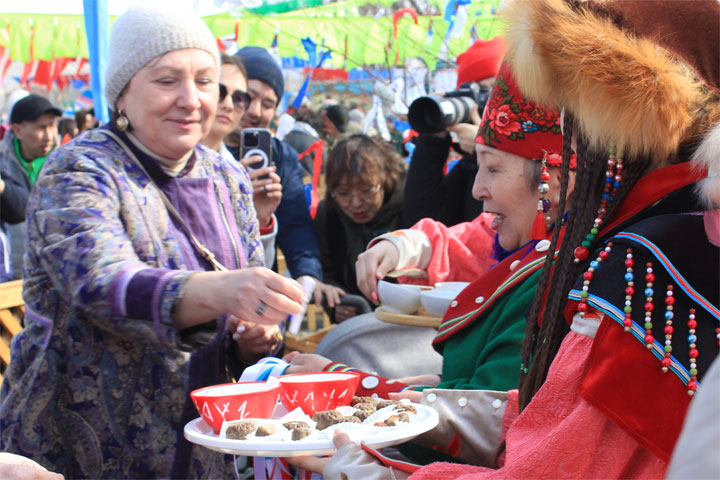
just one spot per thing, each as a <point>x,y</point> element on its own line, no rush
<point>632,73</point>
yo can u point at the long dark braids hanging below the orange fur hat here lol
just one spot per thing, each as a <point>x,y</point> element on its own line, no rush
<point>542,342</point>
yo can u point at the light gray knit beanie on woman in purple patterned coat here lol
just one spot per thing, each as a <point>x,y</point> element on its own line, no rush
<point>145,32</point>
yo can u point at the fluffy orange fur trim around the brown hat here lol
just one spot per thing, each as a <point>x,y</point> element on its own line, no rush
<point>621,88</point>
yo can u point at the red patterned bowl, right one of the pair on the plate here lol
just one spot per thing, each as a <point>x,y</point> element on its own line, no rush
<point>314,392</point>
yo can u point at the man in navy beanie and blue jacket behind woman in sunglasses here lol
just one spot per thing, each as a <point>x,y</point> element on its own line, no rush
<point>296,232</point>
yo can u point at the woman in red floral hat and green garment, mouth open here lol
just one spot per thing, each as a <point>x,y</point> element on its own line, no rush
<point>501,252</point>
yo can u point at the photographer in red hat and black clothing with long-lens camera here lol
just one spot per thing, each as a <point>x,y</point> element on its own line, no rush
<point>429,193</point>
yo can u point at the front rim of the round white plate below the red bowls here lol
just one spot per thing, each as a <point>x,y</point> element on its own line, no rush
<point>197,431</point>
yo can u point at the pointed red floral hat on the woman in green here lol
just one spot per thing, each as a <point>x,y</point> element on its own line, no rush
<point>516,125</point>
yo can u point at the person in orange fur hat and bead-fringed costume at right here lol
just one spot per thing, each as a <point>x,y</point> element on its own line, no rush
<point>637,277</point>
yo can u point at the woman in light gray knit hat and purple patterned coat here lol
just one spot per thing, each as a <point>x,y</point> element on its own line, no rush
<point>142,247</point>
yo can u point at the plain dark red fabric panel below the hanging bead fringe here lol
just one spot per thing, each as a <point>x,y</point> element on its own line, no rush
<point>652,412</point>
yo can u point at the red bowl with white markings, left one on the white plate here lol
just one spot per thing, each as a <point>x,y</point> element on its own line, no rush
<point>235,401</point>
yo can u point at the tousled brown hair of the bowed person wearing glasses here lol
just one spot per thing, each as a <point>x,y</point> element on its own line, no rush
<point>360,157</point>
